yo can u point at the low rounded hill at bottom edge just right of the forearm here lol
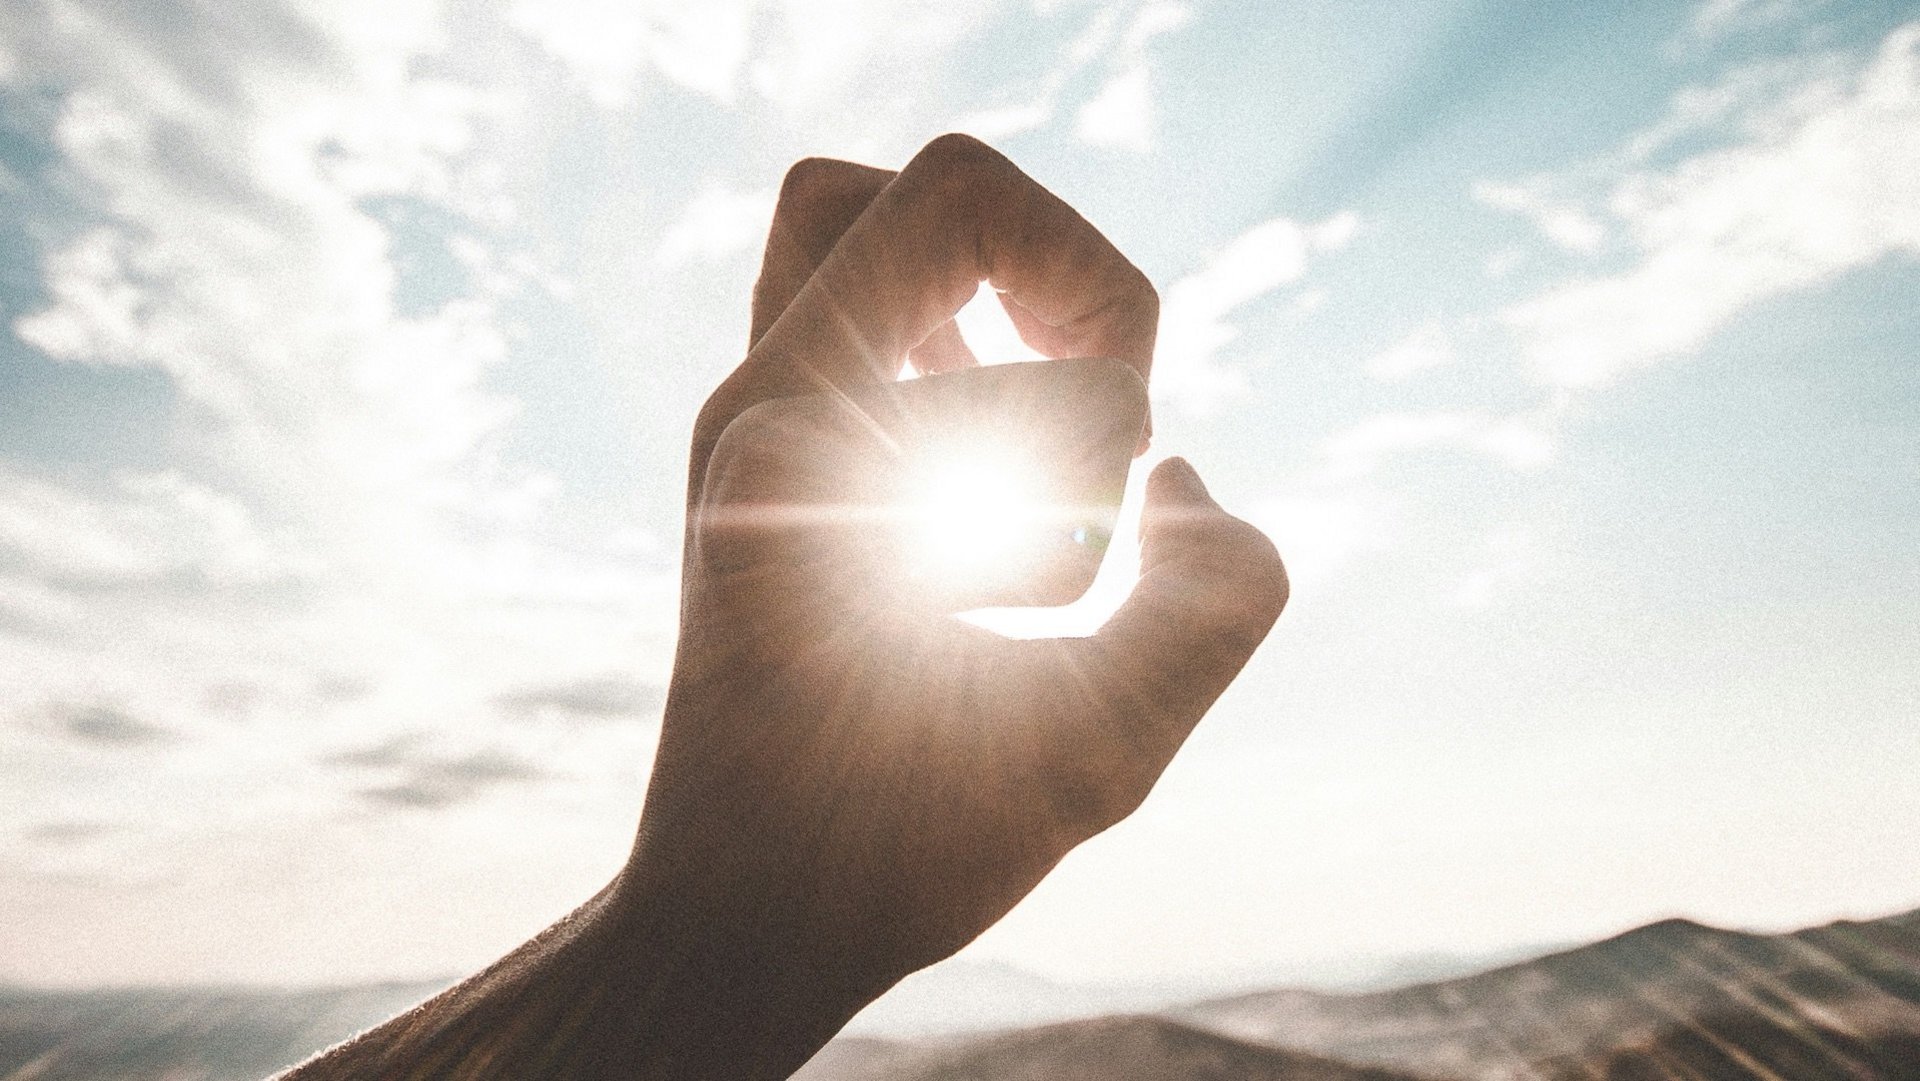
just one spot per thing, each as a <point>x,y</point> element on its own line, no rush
<point>1107,1049</point>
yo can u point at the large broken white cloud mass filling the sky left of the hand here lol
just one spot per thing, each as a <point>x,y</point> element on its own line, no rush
<point>337,510</point>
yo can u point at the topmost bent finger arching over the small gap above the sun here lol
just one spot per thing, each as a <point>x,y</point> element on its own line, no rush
<point>957,216</point>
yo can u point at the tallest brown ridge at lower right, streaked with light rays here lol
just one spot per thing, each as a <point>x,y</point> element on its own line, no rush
<point>1591,1011</point>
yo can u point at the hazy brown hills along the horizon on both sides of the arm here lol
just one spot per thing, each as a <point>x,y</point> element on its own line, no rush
<point>1668,1001</point>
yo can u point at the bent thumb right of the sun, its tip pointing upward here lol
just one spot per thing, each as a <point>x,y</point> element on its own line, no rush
<point>1211,590</point>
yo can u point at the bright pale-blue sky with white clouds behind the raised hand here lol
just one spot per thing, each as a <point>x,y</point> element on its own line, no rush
<point>348,356</point>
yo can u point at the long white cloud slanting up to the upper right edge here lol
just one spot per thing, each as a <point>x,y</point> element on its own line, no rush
<point>1806,201</point>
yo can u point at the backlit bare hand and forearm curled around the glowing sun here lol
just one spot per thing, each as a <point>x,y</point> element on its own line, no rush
<point>850,790</point>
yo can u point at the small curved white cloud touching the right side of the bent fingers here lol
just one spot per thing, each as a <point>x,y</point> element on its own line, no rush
<point>1195,316</point>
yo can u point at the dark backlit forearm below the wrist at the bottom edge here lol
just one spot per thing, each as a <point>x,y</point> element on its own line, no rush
<point>619,990</point>
